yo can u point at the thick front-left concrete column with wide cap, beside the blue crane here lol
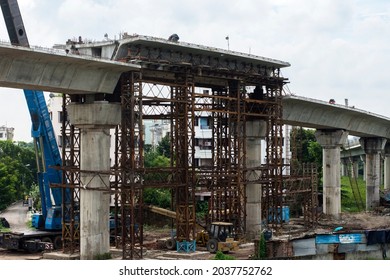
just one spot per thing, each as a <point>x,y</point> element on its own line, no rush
<point>94,120</point>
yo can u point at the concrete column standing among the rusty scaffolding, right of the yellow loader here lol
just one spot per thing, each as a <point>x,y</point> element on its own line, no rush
<point>255,132</point>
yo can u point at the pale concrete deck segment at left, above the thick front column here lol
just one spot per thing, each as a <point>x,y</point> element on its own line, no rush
<point>46,70</point>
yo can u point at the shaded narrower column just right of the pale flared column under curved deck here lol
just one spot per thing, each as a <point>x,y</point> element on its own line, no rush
<point>373,147</point>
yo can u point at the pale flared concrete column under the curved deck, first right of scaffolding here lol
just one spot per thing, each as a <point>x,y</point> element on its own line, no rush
<point>331,142</point>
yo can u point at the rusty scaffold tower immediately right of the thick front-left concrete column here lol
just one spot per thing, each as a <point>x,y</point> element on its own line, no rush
<point>127,170</point>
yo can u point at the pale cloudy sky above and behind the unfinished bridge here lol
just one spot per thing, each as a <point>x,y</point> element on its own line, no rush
<point>337,49</point>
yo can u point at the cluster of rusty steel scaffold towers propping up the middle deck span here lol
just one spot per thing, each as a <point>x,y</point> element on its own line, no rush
<point>179,102</point>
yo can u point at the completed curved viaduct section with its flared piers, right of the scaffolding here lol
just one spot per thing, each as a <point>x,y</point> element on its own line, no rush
<point>333,124</point>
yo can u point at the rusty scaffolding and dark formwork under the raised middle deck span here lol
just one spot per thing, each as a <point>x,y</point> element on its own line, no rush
<point>229,93</point>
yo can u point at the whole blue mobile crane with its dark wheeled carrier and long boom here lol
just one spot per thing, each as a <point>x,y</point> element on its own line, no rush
<point>49,220</point>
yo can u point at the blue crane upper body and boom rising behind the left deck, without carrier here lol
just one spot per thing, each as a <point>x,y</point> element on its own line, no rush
<point>42,132</point>
